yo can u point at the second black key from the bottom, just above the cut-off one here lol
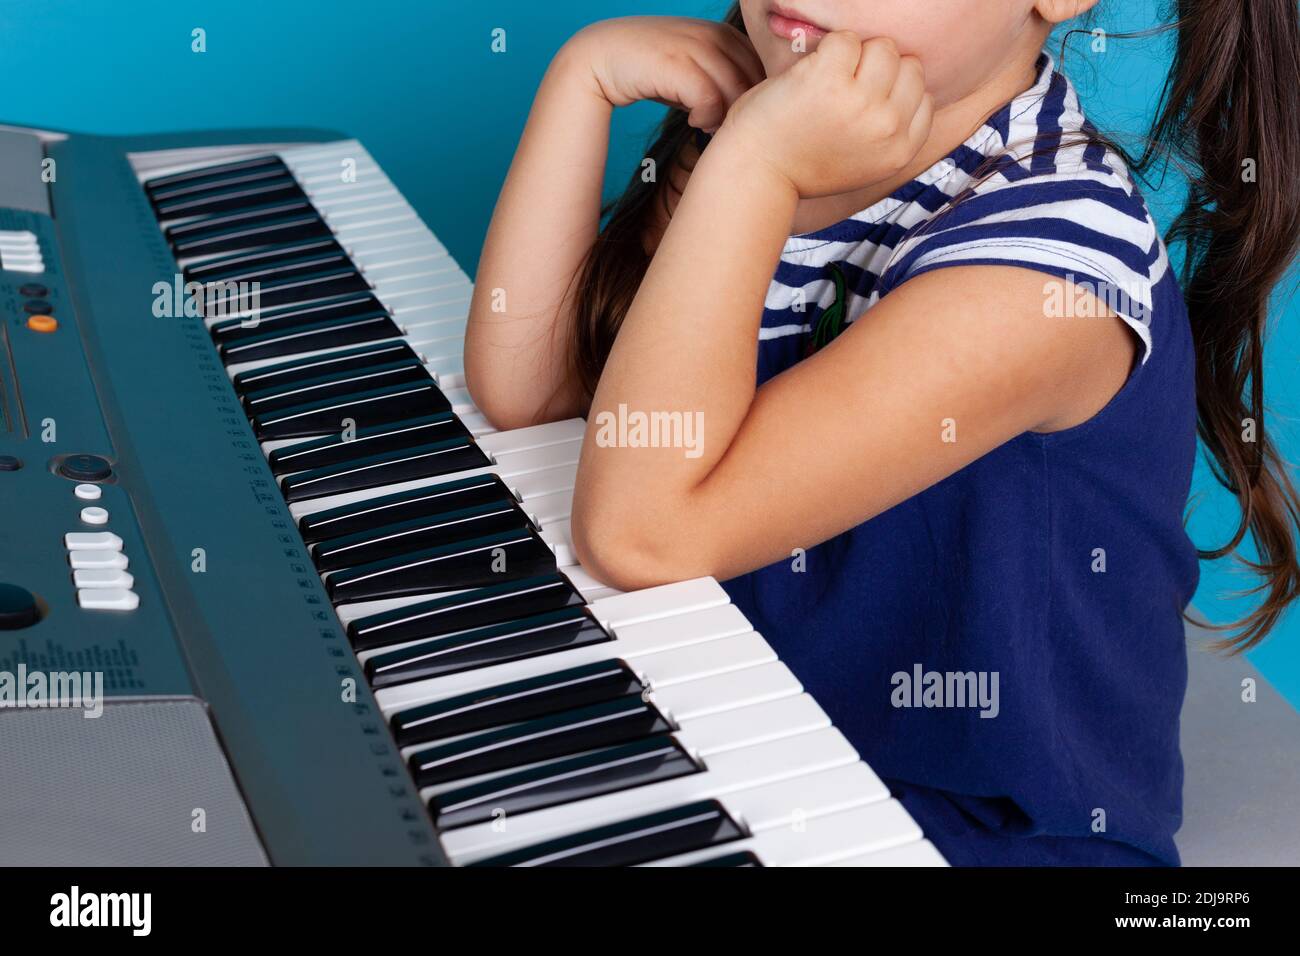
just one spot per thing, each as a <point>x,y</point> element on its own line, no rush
<point>631,842</point>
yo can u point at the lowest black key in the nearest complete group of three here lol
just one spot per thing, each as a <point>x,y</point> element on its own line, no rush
<point>565,781</point>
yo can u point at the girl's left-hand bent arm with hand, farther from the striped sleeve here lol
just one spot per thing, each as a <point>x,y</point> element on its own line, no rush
<point>521,322</point>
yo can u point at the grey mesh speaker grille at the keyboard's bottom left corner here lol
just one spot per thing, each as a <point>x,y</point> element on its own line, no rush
<point>120,790</point>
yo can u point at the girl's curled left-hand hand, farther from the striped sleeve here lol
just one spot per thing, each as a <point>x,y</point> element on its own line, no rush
<point>696,66</point>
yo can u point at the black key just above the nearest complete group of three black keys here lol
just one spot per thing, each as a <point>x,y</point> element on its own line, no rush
<point>484,647</point>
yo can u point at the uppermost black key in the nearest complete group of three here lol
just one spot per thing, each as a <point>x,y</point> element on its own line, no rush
<point>519,700</point>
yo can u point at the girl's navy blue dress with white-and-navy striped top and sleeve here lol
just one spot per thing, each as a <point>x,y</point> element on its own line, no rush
<point>1056,566</point>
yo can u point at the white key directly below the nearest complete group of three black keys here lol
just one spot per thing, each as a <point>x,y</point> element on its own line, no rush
<point>726,773</point>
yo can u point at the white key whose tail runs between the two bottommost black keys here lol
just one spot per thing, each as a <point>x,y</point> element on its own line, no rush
<point>818,841</point>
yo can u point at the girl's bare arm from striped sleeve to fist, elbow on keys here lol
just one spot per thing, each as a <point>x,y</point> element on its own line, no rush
<point>859,427</point>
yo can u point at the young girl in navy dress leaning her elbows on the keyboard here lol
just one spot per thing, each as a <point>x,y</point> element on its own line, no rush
<point>950,387</point>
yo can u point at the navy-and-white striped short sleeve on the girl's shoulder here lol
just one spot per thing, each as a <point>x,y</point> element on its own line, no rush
<point>1089,228</point>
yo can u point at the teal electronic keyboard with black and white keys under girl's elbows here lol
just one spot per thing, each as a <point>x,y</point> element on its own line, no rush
<point>242,475</point>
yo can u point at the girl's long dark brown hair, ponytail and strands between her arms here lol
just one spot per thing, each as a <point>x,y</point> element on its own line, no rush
<point>1230,116</point>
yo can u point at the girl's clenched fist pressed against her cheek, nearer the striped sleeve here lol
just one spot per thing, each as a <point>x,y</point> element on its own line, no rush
<point>848,115</point>
